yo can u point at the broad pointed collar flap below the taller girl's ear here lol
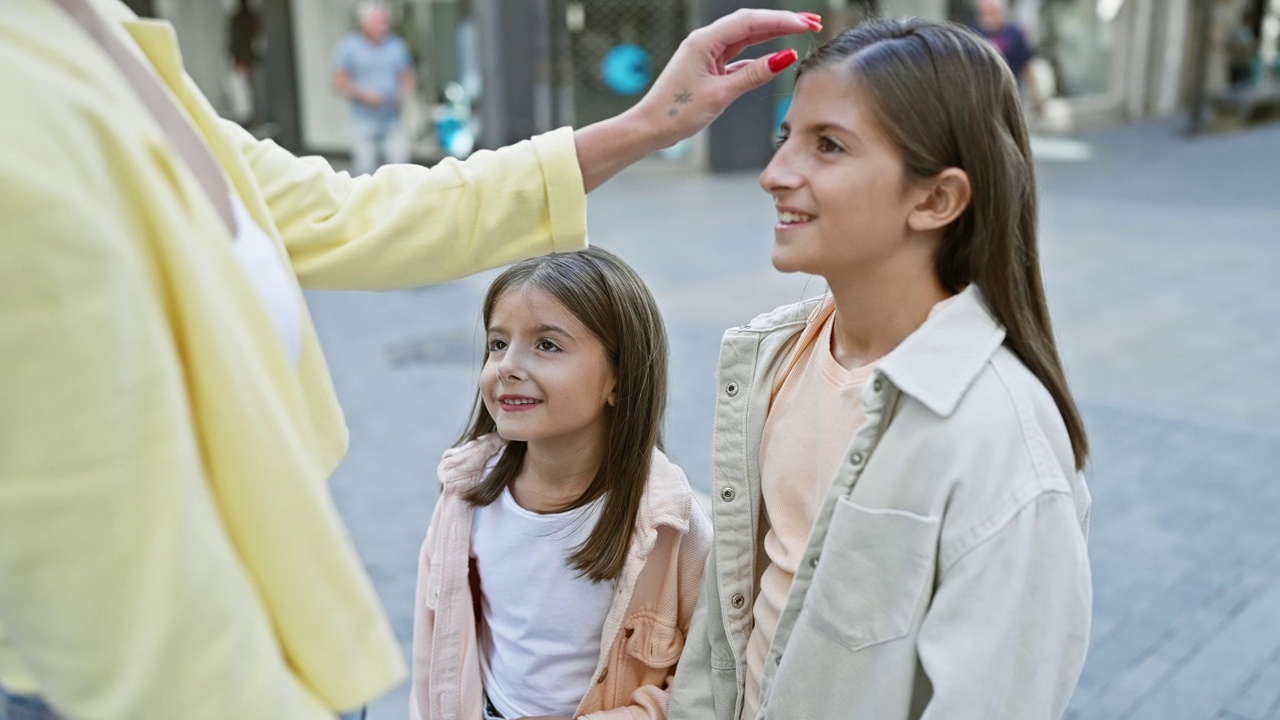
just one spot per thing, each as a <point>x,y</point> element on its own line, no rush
<point>939,362</point>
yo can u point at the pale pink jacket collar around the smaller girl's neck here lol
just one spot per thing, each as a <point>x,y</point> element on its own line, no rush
<point>668,500</point>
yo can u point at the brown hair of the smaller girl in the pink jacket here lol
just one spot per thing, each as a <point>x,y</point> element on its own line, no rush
<point>607,297</point>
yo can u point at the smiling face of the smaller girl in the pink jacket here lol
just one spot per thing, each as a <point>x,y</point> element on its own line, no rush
<point>547,379</point>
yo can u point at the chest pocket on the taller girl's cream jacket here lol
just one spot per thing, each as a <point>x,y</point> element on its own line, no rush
<point>874,573</point>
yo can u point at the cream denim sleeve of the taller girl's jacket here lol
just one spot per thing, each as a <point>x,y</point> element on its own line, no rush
<point>990,653</point>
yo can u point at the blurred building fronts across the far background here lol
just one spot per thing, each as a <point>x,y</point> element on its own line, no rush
<point>504,70</point>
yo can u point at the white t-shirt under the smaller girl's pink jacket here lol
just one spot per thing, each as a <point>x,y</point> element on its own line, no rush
<point>541,639</point>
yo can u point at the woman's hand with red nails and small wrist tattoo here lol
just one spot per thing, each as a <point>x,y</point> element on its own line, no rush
<point>700,83</point>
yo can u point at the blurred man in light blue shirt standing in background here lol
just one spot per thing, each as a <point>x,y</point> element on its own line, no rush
<point>374,71</point>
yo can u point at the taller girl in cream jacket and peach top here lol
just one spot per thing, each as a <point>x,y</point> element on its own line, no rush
<point>906,449</point>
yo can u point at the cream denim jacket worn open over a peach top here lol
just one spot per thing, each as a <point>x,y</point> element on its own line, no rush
<point>947,576</point>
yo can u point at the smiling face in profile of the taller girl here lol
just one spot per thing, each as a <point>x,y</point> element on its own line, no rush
<point>839,185</point>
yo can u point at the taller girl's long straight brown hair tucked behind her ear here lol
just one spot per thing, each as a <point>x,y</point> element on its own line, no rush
<point>947,99</point>
